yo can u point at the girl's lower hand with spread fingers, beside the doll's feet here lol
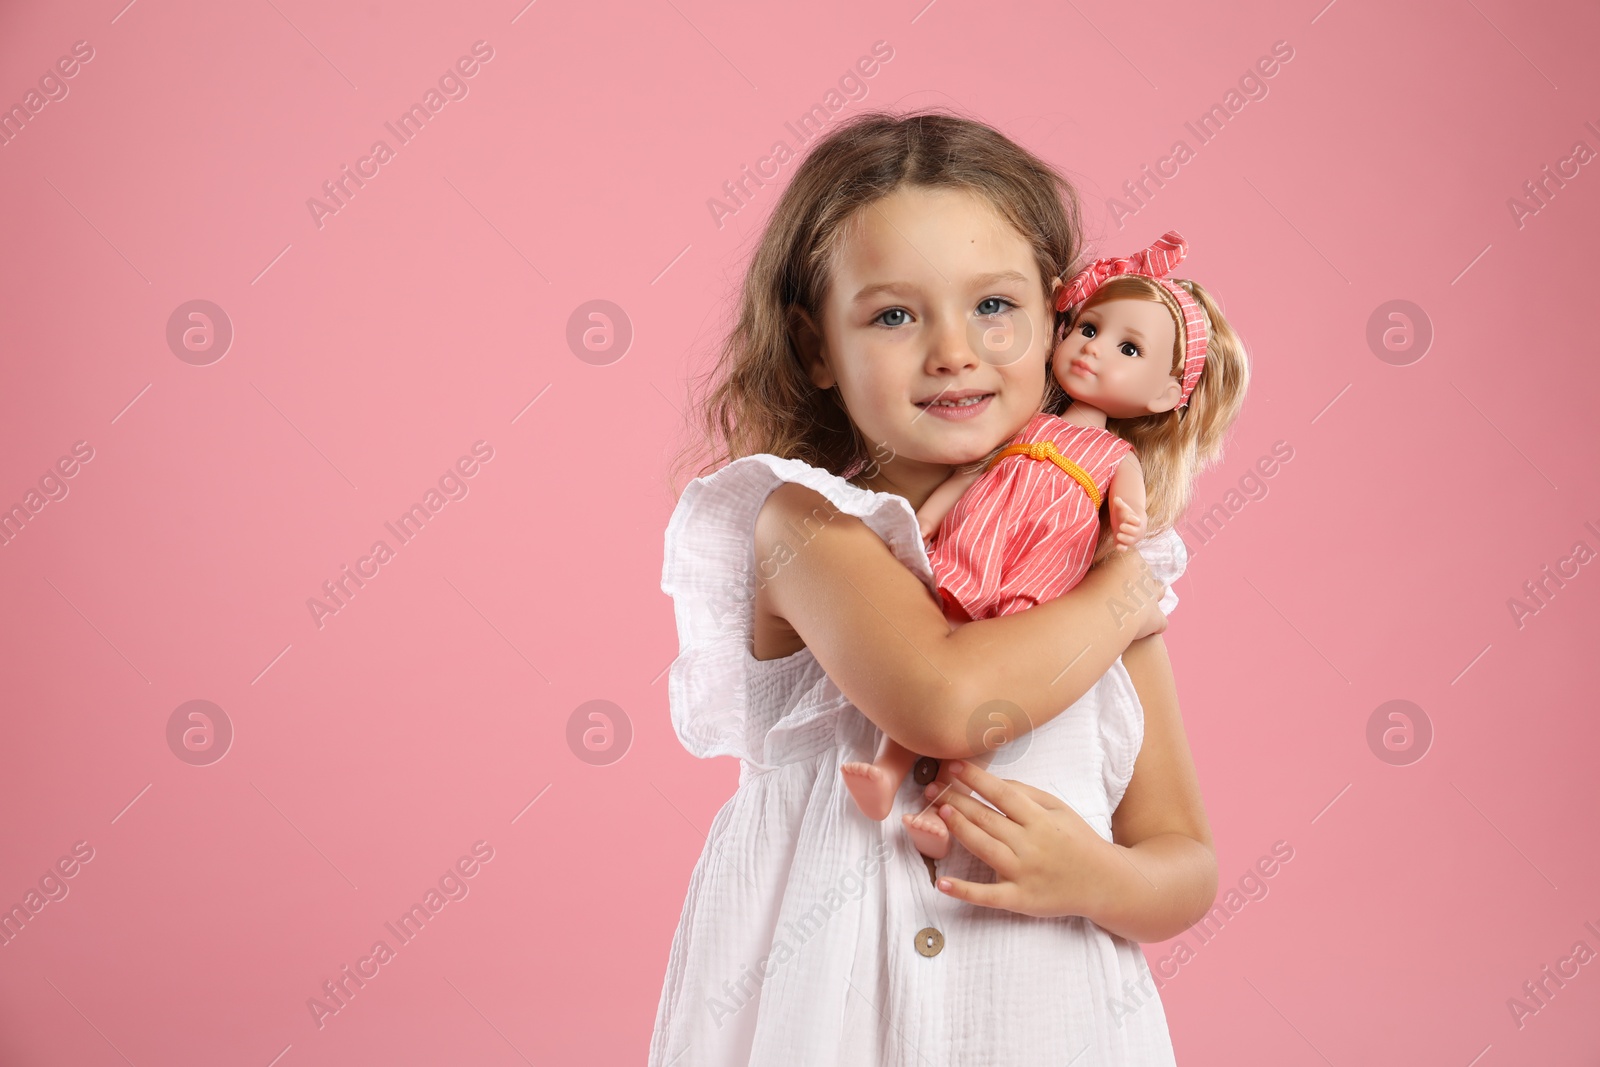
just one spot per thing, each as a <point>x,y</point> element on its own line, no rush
<point>1049,860</point>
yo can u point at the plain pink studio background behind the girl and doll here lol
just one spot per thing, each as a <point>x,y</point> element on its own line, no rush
<point>374,351</point>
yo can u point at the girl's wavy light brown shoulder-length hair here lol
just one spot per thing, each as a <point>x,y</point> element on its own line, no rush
<point>758,398</point>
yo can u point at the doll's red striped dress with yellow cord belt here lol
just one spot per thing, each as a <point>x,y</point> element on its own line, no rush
<point>1025,533</point>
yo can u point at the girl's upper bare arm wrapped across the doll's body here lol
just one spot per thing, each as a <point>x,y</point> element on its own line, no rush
<point>886,644</point>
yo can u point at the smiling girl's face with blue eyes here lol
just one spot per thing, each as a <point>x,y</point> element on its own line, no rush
<point>935,330</point>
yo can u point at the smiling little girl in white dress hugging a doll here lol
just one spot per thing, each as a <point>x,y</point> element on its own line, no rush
<point>810,628</point>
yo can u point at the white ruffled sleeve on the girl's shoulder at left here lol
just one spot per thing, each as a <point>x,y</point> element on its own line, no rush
<point>724,701</point>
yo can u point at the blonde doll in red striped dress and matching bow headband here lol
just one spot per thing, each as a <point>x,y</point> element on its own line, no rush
<point>1023,529</point>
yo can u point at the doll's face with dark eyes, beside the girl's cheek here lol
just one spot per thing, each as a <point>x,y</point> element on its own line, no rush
<point>1119,358</point>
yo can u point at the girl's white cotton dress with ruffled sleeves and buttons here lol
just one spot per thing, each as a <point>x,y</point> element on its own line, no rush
<point>799,937</point>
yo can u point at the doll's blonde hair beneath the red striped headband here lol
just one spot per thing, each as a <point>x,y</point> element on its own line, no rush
<point>1177,446</point>
